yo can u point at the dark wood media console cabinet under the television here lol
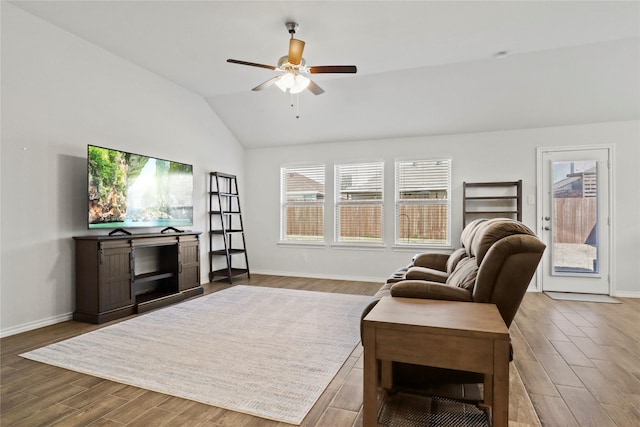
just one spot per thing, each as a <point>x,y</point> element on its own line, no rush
<point>117,276</point>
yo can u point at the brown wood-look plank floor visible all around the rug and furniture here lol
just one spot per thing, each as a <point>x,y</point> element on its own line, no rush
<point>579,364</point>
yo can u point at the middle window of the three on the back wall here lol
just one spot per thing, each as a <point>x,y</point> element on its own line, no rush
<point>359,202</point>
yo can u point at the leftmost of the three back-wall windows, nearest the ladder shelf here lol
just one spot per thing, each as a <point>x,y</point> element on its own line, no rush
<point>302,203</point>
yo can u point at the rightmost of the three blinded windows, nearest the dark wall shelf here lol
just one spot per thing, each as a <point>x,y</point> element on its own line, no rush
<point>422,202</point>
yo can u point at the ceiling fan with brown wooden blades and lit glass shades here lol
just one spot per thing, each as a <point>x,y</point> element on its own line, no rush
<point>294,68</point>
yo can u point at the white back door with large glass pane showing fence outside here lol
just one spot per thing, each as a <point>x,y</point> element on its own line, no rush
<point>575,223</point>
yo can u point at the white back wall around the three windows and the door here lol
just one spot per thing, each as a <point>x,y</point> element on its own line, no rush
<point>491,156</point>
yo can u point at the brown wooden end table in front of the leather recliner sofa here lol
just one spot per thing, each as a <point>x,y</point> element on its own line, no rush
<point>445,334</point>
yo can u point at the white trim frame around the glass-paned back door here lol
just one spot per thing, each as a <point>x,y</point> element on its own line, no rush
<point>540,194</point>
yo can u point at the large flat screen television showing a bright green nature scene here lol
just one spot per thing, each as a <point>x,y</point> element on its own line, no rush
<point>128,190</point>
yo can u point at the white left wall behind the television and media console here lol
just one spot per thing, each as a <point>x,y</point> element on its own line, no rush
<point>60,93</point>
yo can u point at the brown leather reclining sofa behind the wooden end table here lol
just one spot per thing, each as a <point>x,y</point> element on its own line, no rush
<point>500,257</point>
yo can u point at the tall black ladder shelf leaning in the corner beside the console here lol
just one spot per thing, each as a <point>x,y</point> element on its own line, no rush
<point>226,230</point>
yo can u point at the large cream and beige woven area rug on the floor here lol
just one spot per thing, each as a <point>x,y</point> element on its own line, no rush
<point>263,351</point>
